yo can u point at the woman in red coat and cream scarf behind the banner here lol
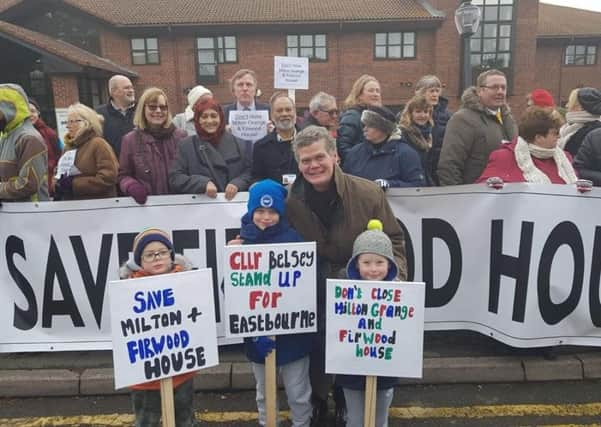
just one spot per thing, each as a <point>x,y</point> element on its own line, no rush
<point>534,155</point>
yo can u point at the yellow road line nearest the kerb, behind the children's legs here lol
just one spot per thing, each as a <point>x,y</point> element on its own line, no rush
<point>412,412</point>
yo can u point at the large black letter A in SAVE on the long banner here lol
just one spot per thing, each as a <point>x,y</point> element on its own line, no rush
<point>56,270</point>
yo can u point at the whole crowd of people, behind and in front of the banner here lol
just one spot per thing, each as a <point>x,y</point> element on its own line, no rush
<point>323,176</point>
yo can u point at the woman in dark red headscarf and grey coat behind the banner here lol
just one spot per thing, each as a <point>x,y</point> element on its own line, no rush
<point>212,161</point>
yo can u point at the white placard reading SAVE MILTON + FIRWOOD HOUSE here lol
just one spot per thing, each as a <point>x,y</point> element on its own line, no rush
<point>162,326</point>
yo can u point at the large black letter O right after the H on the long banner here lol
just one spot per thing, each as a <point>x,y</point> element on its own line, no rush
<point>565,233</point>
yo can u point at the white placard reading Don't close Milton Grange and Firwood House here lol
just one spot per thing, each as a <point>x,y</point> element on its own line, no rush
<point>374,328</point>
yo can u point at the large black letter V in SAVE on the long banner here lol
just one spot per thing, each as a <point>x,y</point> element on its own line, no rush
<point>94,289</point>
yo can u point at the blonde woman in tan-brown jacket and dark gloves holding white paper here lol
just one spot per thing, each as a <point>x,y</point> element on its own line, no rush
<point>88,167</point>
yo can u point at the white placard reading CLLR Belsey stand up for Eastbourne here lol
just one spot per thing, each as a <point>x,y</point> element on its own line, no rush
<point>270,289</point>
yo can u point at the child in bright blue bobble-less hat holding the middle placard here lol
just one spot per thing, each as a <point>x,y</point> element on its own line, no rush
<point>264,223</point>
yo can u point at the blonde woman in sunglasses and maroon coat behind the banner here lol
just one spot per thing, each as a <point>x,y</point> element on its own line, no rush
<point>148,151</point>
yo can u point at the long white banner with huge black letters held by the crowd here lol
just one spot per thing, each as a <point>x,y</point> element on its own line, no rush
<point>521,264</point>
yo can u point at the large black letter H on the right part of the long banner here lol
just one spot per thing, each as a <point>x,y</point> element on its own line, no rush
<point>510,266</point>
